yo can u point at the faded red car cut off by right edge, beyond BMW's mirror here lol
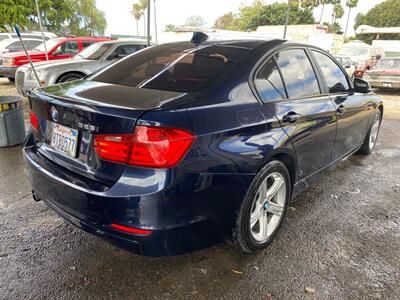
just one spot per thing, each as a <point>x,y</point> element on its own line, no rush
<point>385,74</point>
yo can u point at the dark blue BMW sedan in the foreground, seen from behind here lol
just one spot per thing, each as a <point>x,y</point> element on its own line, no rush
<point>182,145</point>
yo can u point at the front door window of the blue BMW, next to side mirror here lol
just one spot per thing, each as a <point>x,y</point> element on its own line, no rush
<point>334,77</point>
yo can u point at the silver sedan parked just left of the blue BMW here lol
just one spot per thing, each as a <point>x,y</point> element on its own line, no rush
<point>91,59</point>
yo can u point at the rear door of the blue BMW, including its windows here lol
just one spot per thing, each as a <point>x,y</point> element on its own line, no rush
<point>289,87</point>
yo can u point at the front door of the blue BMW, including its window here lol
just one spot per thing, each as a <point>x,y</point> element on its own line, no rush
<point>353,110</point>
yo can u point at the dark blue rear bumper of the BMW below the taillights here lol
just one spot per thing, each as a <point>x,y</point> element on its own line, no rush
<point>186,212</point>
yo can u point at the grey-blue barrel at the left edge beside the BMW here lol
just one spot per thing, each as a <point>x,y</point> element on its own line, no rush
<point>12,128</point>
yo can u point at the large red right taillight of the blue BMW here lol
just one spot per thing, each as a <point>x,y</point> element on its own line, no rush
<point>155,147</point>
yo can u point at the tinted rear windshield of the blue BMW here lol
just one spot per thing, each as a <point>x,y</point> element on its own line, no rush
<point>180,67</point>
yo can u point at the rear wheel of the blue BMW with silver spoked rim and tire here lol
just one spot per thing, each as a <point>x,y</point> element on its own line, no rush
<point>253,238</point>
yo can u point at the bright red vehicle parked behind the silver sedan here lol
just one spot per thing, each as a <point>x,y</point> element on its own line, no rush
<point>57,48</point>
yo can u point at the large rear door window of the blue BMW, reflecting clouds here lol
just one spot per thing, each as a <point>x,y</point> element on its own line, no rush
<point>298,74</point>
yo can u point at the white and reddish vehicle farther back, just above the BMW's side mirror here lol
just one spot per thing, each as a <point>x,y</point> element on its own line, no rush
<point>364,56</point>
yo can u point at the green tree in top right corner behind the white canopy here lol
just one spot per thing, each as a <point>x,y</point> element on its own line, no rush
<point>385,14</point>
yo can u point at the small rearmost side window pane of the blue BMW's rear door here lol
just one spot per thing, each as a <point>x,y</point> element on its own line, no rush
<point>268,82</point>
